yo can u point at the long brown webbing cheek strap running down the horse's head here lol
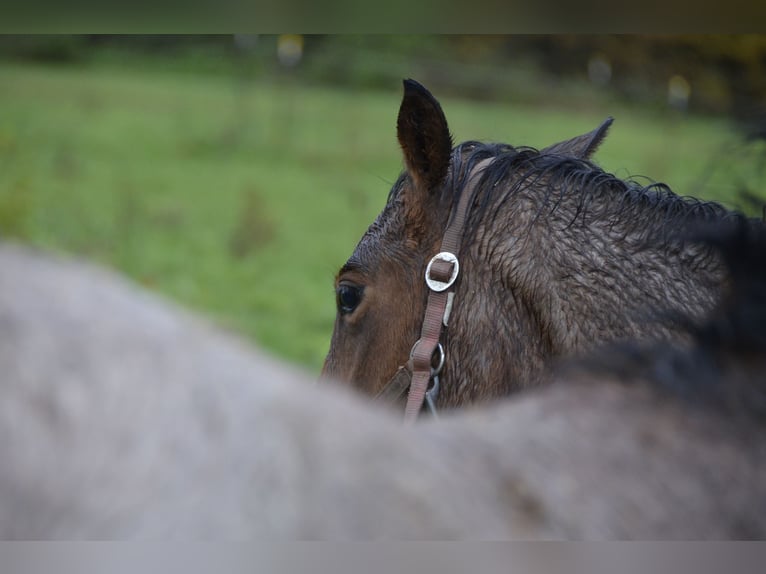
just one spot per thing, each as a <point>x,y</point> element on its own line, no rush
<point>437,300</point>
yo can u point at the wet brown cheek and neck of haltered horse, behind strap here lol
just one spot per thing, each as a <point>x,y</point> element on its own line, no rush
<point>538,286</point>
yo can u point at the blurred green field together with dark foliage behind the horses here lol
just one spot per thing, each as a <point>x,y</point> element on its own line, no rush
<point>235,174</point>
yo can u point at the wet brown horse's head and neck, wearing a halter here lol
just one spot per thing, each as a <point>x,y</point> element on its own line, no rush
<point>557,257</point>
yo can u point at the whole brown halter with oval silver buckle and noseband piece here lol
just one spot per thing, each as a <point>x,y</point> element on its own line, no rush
<point>440,276</point>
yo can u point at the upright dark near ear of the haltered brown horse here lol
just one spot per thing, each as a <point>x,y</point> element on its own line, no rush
<point>424,136</point>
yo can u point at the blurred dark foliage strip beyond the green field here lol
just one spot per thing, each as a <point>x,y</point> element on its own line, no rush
<point>726,74</point>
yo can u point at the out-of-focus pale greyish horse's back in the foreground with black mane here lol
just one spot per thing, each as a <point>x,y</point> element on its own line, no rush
<point>125,417</point>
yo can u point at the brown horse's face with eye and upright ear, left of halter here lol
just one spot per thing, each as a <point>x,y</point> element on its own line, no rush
<point>380,291</point>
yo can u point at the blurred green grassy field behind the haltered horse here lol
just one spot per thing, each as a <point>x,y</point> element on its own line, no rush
<point>240,199</point>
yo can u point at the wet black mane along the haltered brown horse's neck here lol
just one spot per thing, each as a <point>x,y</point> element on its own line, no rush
<point>628,201</point>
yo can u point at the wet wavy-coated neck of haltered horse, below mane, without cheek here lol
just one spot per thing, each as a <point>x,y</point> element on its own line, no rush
<point>602,279</point>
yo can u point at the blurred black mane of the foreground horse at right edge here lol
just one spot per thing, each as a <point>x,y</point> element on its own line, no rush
<point>722,367</point>
